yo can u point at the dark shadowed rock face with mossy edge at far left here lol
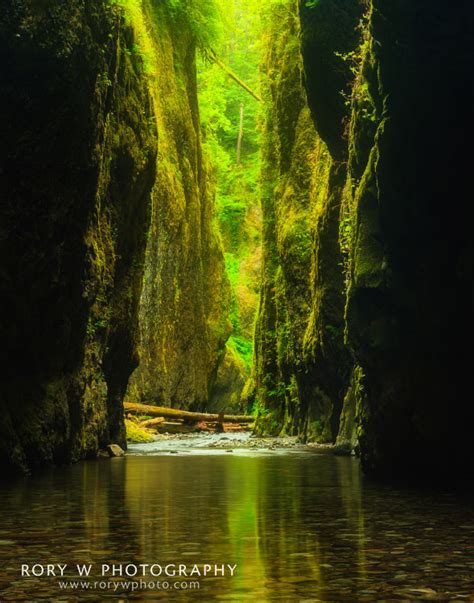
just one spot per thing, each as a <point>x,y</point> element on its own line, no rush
<point>77,164</point>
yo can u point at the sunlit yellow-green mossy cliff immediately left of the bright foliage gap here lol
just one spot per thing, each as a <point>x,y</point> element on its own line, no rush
<point>186,295</point>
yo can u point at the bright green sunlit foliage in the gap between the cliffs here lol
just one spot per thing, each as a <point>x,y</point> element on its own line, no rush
<point>237,185</point>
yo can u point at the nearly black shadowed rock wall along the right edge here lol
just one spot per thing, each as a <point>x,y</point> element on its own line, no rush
<point>410,296</point>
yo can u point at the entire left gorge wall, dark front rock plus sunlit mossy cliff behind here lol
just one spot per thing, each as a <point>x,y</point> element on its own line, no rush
<point>104,189</point>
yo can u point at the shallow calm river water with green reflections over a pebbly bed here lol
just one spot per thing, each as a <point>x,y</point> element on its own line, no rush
<point>298,525</point>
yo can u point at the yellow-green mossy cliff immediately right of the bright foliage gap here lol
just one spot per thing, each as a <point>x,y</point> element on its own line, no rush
<point>302,367</point>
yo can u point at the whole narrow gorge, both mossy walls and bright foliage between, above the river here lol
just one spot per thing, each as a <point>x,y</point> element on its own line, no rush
<point>270,221</point>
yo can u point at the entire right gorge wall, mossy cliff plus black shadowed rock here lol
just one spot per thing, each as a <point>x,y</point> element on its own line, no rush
<point>367,271</point>
